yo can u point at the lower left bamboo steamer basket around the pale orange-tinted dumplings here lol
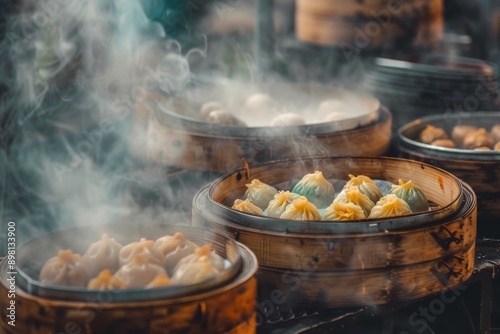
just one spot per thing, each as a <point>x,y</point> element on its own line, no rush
<point>227,308</point>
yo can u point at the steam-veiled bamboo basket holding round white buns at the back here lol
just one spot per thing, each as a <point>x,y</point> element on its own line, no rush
<point>179,136</point>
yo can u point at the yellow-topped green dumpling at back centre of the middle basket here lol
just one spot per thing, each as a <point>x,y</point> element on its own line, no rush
<point>316,189</point>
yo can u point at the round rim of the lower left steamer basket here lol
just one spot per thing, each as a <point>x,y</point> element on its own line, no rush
<point>53,292</point>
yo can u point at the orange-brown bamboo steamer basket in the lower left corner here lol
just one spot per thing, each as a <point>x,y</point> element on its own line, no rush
<point>221,304</point>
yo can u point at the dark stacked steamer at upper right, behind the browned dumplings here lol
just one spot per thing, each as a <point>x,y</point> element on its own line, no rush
<point>431,86</point>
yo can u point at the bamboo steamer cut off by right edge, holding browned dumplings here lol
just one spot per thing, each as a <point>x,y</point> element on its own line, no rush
<point>479,168</point>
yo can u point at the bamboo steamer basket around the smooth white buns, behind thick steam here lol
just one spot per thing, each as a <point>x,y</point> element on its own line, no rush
<point>176,138</point>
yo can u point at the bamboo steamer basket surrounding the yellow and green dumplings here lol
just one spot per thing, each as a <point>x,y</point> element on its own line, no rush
<point>344,264</point>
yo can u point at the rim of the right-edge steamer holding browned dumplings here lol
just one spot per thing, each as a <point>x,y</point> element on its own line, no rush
<point>474,118</point>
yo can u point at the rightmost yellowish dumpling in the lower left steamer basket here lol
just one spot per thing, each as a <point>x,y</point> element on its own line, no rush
<point>197,267</point>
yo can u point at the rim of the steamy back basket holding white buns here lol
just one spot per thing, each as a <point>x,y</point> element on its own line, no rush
<point>169,117</point>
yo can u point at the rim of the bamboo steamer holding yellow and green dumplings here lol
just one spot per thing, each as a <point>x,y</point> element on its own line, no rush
<point>313,228</point>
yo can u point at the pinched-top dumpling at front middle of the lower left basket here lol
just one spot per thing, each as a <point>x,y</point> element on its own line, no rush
<point>139,271</point>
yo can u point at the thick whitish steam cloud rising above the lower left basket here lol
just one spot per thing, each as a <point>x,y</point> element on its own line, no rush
<point>75,72</point>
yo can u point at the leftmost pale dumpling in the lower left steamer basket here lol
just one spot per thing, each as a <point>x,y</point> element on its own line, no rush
<point>67,268</point>
